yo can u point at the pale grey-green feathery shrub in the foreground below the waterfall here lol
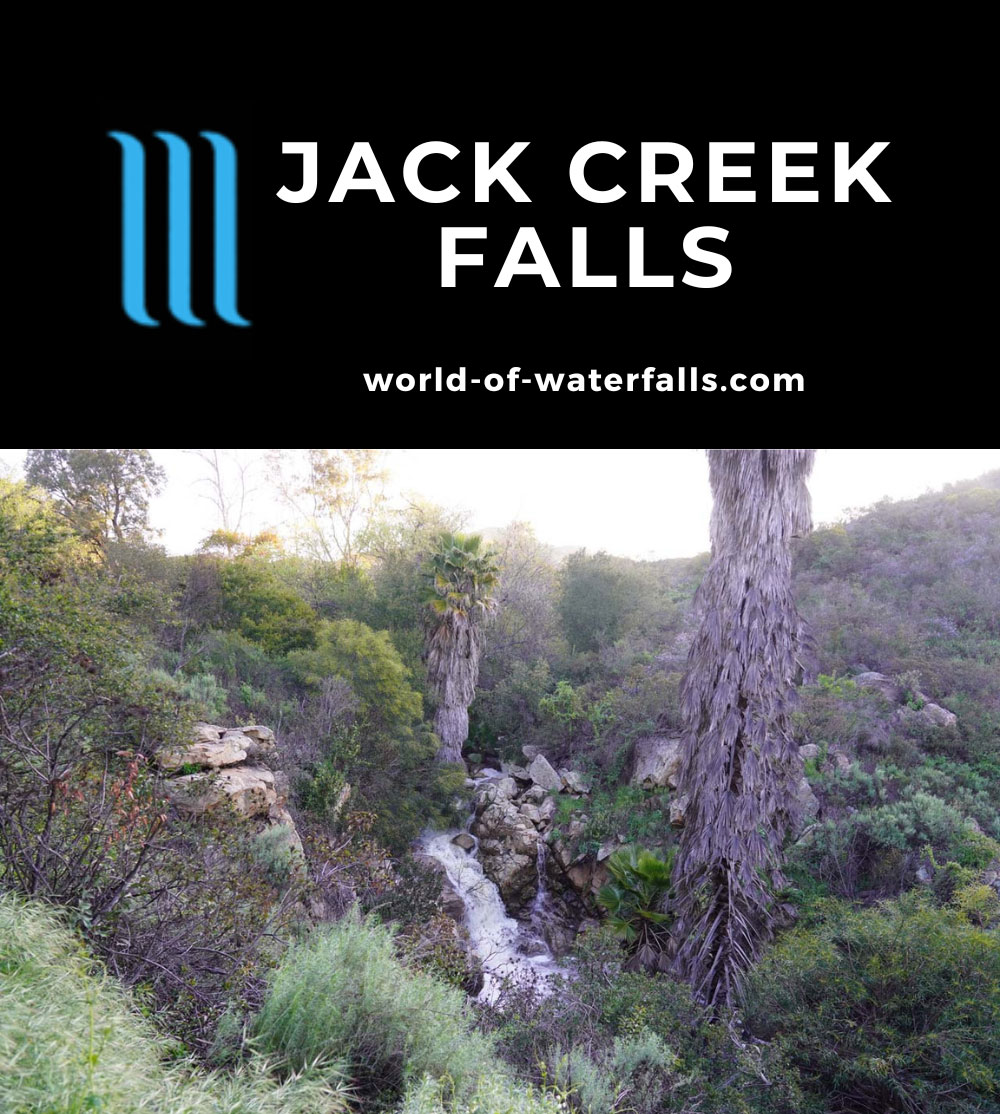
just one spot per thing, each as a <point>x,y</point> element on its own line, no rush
<point>344,995</point>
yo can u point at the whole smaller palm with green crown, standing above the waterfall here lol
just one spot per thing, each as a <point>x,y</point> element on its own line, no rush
<point>463,579</point>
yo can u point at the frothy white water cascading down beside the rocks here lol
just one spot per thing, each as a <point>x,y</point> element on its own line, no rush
<point>509,951</point>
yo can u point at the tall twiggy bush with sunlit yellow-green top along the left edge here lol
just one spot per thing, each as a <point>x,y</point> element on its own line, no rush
<point>73,716</point>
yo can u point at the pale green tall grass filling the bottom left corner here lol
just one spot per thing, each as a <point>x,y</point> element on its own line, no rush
<point>73,1042</point>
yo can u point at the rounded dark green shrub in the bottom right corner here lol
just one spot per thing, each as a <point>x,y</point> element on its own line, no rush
<point>894,1009</point>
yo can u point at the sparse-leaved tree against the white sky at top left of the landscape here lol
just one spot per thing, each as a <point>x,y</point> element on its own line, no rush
<point>103,493</point>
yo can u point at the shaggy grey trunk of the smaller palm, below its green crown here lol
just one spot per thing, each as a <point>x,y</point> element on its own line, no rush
<point>454,671</point>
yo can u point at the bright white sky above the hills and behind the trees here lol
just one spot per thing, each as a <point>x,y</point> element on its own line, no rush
<point>638,503</point>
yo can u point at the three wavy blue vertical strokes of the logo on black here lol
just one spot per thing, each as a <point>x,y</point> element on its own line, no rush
<point>179,228</point>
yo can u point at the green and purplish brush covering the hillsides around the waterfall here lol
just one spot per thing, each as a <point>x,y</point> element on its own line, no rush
<point>155,961</point>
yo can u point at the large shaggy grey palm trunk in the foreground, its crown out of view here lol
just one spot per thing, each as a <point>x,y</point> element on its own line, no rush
<point>740,760</point>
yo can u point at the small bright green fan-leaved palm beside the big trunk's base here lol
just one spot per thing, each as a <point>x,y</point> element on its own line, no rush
<point>635,898</point>
